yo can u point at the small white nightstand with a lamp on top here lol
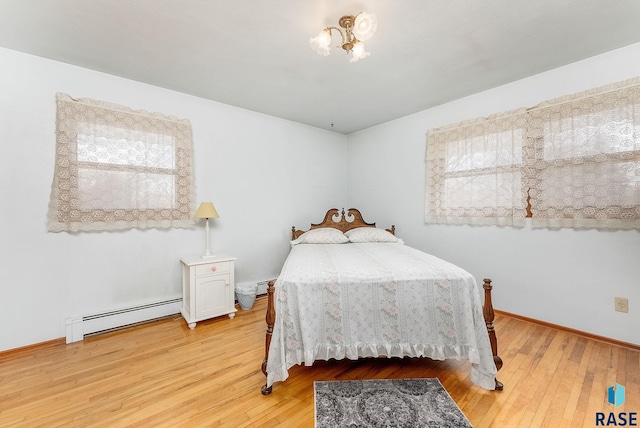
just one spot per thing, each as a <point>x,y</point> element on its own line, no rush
<point>208,288</point>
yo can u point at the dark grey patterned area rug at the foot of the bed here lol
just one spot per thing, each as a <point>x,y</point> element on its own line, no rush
<point>385,403</point>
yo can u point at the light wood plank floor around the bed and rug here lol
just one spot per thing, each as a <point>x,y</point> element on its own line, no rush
<point>163,374</point>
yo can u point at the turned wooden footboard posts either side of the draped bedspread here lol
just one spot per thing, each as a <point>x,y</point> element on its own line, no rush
<point>487,311</point>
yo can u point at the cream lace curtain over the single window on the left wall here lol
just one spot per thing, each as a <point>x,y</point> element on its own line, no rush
<point>117,168</point>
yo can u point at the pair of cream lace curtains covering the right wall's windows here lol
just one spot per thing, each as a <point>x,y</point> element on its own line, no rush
<point>576,157</point>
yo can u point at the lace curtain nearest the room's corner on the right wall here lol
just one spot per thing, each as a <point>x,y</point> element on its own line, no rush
<point>474,172</point>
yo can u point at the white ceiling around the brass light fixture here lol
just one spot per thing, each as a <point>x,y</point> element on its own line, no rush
<point>255,54</point>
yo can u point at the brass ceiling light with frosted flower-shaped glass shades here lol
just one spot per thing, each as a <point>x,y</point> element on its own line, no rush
<point>355,30</point>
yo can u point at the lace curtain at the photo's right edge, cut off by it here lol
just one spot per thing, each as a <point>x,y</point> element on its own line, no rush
<point>584,159</point>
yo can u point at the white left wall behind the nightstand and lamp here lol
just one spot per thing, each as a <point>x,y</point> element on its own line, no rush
<point>262,173</point>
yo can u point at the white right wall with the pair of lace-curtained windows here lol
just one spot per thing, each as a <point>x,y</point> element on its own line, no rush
<point>567,277</point>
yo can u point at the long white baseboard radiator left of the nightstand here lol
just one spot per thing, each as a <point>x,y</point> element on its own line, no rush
<point>79,327</point>
